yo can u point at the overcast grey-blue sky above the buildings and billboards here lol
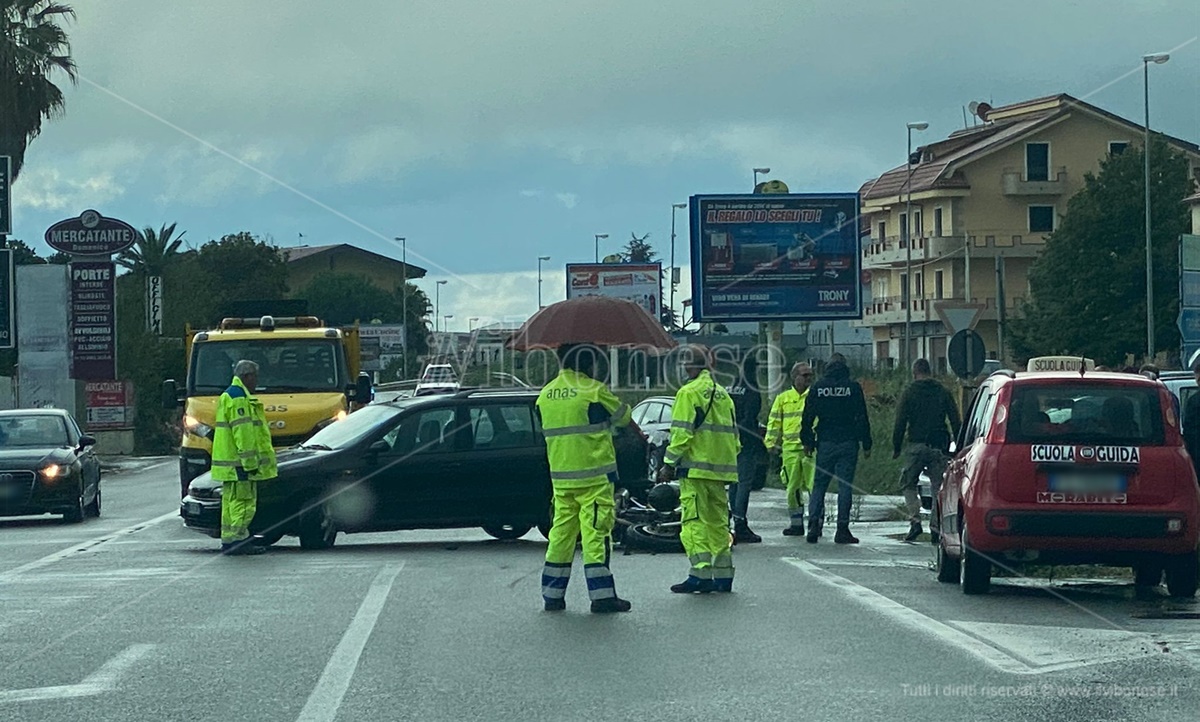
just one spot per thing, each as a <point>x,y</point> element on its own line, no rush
<point>493,133</point>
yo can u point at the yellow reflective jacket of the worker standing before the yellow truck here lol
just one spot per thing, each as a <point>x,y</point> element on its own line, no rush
<point>242,441</point>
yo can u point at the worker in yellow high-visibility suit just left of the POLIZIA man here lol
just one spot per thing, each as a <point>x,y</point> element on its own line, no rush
<point>784,441</point>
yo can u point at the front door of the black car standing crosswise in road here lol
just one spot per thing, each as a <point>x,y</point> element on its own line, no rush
<point>412,476</point>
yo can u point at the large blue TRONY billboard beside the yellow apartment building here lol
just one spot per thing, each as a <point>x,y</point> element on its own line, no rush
<point>776,257</point>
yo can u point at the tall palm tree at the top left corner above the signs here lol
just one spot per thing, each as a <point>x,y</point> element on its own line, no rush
<point>33,47</point>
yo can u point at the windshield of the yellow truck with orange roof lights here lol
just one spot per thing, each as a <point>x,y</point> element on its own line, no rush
<point>285,365</point>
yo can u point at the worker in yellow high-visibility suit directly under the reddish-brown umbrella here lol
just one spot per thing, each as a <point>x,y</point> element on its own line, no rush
<point>578,416</point>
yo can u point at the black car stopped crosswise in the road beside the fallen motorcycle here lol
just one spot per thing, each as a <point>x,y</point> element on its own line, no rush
<point>472,459</point>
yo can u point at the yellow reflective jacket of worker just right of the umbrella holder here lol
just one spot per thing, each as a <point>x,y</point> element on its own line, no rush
<point>709,449</point>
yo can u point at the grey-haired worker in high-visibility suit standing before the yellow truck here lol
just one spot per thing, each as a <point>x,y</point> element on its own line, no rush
<point>243,456</point>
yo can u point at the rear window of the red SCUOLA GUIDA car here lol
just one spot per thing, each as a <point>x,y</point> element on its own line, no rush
<point>1085,413</point>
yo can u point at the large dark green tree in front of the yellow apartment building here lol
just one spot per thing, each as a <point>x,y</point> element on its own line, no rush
<point>1088,288</point>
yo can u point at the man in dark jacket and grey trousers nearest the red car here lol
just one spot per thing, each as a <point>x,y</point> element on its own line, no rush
<point>923,411</point>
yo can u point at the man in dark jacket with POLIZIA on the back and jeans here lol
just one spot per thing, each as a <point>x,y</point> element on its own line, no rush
<point>838,411</point>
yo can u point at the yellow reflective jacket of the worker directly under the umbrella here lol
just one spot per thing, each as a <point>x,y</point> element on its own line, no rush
<point>578,416</point>
